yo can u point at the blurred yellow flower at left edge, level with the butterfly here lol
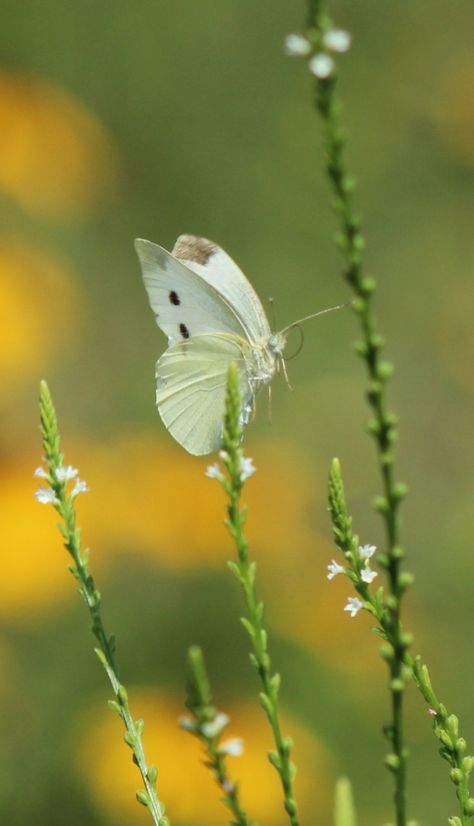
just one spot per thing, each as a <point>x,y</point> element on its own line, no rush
<point>33,285</point>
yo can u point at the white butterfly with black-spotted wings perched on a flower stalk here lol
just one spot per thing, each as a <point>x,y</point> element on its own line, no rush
<point>212,317</point>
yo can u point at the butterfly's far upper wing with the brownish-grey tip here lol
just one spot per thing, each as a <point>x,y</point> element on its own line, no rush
<point>218,270</point>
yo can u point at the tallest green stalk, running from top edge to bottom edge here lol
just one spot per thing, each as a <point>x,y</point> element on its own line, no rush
<point>382,426</point>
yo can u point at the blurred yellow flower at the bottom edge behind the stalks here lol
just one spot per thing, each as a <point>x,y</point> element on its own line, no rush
<point>184,784</point>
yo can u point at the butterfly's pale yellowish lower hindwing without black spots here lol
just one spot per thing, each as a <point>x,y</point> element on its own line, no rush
<point>191,380</point>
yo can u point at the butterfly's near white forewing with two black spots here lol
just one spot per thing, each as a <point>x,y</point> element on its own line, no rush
<point>184,302</point>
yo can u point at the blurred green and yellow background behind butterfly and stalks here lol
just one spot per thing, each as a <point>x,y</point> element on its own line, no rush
<point>150,119</point>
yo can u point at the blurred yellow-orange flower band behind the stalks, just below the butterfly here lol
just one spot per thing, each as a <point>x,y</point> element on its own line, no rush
<point>155,500</point>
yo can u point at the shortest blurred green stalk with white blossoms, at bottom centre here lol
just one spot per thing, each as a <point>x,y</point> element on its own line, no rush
<point>207,725</point>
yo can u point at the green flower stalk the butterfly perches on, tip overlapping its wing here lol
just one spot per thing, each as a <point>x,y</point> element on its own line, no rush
<point>238,469</point>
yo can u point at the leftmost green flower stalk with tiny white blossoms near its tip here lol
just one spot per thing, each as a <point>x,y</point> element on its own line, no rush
<point>63,501</point>
